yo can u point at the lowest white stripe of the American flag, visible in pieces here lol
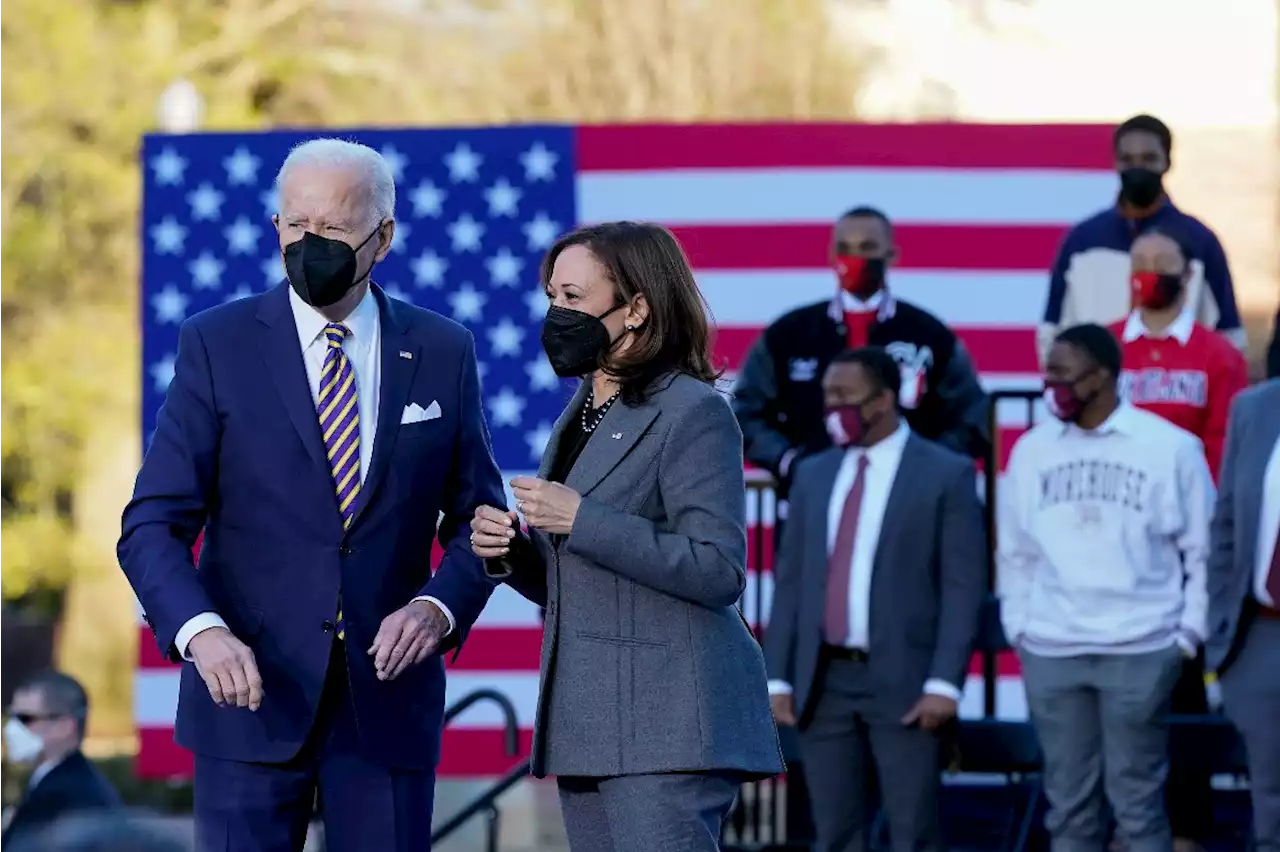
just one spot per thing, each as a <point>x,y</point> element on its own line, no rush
<point>156,699</point>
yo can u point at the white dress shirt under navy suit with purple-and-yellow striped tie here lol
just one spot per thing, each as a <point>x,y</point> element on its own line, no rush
<point>363,346</point>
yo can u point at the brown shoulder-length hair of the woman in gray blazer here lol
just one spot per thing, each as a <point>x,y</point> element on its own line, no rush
<point>643,259</point>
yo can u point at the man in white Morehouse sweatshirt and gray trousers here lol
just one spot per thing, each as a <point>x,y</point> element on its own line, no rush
<point>1103,540</point>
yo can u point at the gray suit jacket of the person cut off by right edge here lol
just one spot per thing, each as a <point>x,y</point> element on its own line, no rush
<point>1251,434</point>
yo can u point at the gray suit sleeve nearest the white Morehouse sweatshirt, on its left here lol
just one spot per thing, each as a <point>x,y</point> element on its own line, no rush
<point>963,580</point>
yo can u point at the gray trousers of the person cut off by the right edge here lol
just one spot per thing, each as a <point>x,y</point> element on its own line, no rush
<point>1251,698</point>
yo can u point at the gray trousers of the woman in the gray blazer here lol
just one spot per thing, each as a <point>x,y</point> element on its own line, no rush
<point>665,813</point>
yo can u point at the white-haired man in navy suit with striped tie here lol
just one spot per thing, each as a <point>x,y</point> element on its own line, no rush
<point>316,433</point>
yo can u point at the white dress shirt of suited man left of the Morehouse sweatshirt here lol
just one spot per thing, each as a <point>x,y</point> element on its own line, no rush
<point>883,464</point>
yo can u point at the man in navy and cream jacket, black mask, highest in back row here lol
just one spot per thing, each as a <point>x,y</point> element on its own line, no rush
<point>1090,281</point>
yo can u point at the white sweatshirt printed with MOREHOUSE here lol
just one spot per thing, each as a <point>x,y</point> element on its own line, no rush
<point>1103,538</point>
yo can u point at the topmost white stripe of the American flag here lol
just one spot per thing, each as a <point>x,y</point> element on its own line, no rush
<point>908,196</point>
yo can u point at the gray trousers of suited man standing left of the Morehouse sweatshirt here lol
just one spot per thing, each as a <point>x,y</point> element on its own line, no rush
<point>852,740</point>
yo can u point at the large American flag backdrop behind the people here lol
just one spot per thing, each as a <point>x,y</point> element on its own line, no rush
<point>980,212</point>
